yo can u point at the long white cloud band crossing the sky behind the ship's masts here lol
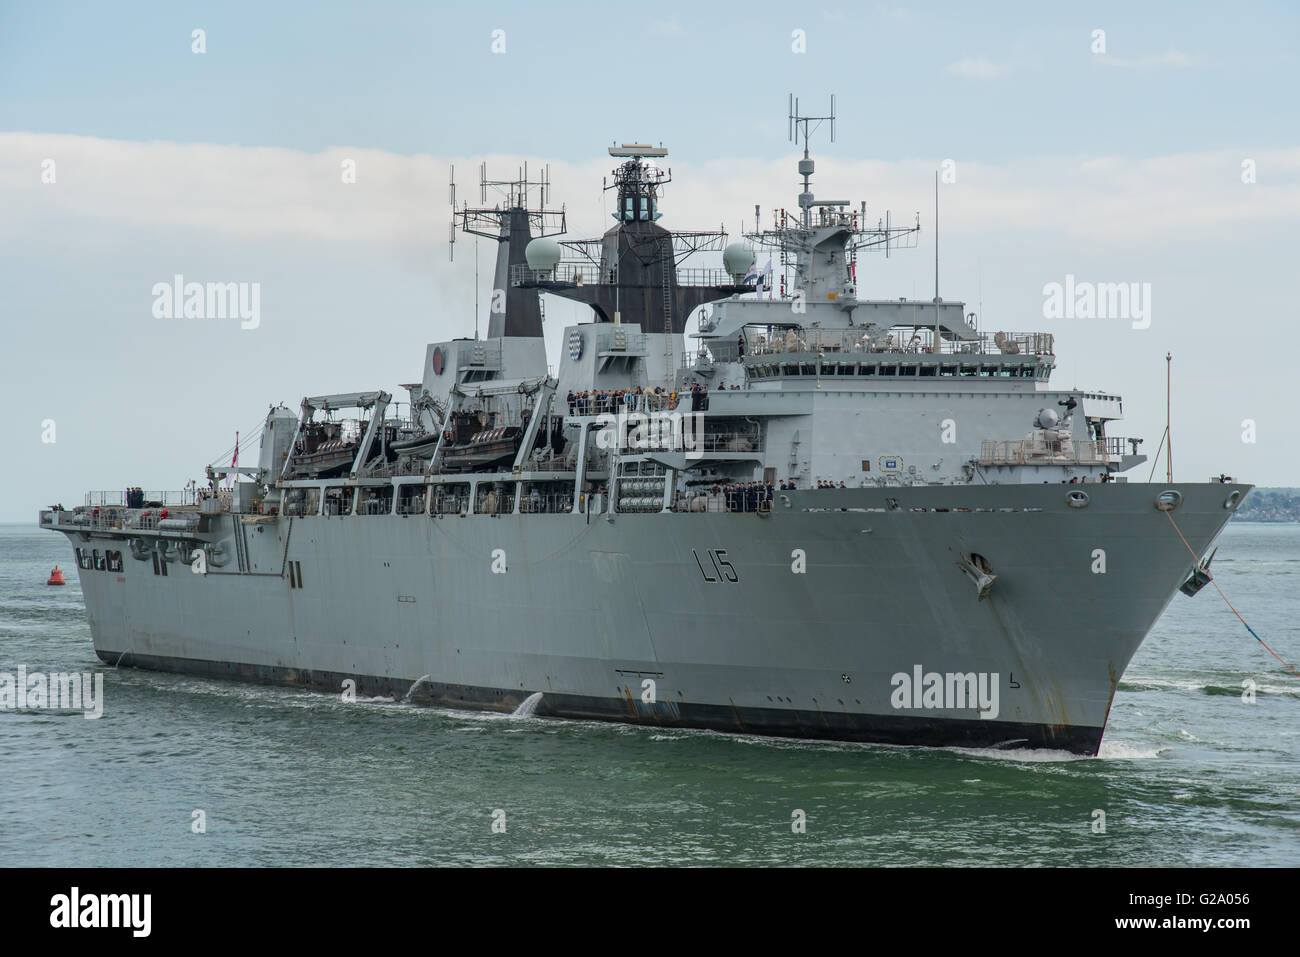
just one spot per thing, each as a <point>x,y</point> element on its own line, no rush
<point>226,193</point>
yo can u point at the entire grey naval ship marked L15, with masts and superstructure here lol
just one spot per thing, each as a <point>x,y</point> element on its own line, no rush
<point>821,516</point>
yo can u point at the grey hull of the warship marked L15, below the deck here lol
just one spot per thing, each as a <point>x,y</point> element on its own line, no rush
<point>638,618</point>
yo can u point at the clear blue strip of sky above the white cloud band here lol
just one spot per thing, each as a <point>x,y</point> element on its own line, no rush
<point>410,77</point>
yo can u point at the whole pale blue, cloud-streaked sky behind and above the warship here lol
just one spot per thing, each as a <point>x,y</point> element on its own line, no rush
<point>1162,151</point>
